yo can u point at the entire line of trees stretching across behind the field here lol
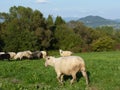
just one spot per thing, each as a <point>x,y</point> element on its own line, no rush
<point>25,29</point>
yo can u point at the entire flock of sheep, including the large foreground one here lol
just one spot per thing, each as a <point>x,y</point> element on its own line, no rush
<point>66,64</point>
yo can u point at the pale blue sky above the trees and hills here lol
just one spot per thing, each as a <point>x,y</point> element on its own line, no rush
<point>109,9</point>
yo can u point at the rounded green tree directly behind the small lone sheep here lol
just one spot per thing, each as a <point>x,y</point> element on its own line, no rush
<point>66,39</point>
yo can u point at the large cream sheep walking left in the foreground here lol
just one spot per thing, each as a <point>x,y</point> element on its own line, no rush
<point>69,65</point>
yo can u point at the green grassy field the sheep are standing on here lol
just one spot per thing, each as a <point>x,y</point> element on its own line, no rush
<point>103,69</point>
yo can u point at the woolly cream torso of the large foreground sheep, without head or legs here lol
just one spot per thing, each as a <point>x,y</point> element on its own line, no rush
<point>67,64</point>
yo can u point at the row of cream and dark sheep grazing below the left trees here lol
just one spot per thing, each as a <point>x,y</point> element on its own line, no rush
<point>22,55</point>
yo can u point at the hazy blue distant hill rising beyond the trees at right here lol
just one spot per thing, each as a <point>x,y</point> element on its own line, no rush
<point>96,21</point>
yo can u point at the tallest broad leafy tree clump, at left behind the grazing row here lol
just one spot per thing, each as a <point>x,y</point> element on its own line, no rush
<point>19,29</point>
